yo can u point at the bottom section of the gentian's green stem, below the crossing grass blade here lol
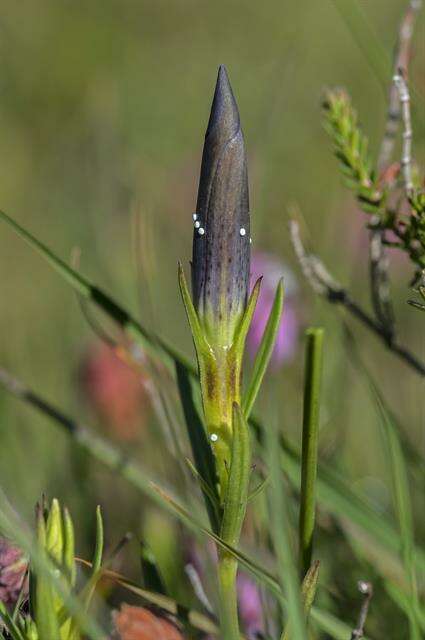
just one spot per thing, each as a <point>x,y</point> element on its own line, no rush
<point>227,570</point>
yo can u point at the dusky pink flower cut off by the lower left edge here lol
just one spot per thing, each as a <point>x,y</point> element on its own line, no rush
<point>13,569</point>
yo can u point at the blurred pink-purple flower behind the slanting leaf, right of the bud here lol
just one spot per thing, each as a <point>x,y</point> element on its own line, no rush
<point>272,269</point>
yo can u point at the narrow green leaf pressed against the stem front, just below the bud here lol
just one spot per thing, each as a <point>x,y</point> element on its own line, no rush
<point>238,483</point>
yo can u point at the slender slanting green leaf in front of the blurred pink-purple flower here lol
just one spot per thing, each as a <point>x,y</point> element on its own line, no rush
<point>264,352</point>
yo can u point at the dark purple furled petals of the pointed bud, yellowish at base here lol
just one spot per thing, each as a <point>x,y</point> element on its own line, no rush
<point>221,240</point>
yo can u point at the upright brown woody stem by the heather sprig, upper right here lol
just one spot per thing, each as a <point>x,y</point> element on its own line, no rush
<point>379,277</point>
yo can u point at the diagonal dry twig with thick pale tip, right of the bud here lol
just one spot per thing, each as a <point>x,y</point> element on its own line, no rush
<point>325,285</point>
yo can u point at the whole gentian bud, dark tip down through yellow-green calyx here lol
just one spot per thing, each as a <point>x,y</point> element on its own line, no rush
<point>220,311</point>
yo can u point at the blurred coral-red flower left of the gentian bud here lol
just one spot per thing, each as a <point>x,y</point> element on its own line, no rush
<point>115,391</point>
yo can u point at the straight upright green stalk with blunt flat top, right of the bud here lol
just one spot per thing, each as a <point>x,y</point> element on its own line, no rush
<point>313,374</point>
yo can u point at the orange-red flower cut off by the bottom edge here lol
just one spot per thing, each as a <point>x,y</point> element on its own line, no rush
<point>137,623</point>
